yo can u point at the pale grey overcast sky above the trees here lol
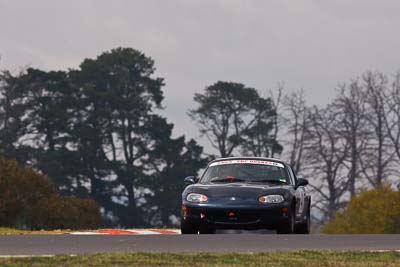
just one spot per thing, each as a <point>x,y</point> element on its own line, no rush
<point>306,44</point>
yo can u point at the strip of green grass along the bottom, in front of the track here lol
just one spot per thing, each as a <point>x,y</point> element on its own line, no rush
<point>300,258</point>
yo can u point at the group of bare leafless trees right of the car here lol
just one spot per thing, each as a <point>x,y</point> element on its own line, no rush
<point>348,145</point>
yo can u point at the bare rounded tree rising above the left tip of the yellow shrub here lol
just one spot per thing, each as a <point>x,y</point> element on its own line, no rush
<point>326,155</point>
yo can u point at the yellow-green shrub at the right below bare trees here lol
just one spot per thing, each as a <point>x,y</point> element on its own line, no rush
<point>371,212</point>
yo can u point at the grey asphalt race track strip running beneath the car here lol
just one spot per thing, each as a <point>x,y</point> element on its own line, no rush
<point>78,244</point>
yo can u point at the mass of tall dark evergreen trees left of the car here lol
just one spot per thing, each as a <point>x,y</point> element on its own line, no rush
<point>95,131</point>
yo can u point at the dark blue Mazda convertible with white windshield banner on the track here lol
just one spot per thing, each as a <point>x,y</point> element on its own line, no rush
<point>246,193</point>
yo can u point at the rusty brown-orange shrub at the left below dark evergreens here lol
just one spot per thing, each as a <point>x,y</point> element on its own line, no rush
<point>27,200</point>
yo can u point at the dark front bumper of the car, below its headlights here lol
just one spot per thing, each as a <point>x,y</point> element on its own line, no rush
<point>240,217</point>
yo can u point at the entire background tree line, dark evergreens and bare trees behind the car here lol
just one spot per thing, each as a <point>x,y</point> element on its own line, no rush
<point>96,132</point>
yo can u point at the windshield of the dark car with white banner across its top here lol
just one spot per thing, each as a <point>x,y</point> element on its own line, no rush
<point>245,171</point>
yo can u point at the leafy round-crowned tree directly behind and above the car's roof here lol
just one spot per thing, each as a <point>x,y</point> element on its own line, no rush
<point>231,115</point>
